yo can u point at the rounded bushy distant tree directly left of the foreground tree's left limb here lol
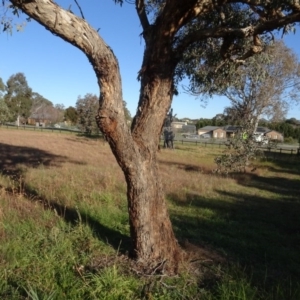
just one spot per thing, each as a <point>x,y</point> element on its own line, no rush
<point>87,108</point>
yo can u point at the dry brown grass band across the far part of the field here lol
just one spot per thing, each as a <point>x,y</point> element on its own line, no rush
<point>93,162</point>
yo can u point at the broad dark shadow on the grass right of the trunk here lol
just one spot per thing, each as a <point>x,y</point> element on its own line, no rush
<point>259,234</point>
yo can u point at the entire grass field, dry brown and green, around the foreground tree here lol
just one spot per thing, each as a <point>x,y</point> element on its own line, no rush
<point>64,230</point>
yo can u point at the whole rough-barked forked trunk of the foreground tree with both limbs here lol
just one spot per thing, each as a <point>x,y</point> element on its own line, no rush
<point>153,241</point>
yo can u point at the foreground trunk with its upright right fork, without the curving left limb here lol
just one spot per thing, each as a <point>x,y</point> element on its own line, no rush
<point>150,227</point>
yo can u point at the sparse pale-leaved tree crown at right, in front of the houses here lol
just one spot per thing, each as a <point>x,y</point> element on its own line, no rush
<point>267,84</point>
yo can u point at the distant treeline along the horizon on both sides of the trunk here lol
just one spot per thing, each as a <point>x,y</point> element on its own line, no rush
<point>19,103</point>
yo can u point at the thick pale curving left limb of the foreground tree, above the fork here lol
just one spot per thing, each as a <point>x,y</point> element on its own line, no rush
<point>79,33</point>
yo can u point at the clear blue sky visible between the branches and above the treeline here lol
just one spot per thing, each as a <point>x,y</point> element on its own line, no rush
<point>60,72</point>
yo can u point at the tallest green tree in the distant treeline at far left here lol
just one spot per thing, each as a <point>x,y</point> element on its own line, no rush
<point>18,96</point>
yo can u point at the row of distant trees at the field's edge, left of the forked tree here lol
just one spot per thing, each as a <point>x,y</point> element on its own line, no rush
<point>20,105</point>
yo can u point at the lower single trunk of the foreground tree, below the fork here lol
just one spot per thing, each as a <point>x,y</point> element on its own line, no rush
<point>153,240</point>
